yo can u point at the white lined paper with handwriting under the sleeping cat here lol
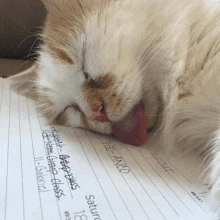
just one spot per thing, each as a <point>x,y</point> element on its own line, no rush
<point>53,172</point>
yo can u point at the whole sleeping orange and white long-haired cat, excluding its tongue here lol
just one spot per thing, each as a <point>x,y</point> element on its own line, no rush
<point>109,55</point>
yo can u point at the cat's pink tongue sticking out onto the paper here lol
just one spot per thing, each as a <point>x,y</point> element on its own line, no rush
<point>132,129</point>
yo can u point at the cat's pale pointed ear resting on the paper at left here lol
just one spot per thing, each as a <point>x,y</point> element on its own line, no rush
<point>24,82</point>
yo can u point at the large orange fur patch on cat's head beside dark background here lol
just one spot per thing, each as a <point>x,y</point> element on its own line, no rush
<point>64,21</point>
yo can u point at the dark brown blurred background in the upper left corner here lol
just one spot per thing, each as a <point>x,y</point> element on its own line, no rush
<point>20,21</point>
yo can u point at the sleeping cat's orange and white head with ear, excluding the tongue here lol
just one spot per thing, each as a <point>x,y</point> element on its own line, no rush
<point>90,71</point>
